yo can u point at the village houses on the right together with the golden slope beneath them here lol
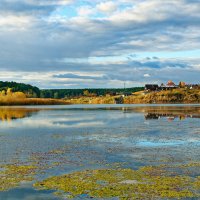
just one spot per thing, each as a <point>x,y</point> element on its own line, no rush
<point>163,93</point>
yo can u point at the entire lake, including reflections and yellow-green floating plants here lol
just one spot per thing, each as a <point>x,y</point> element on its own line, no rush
<point>130,147</point>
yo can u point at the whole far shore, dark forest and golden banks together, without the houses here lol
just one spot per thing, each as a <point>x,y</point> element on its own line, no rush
<point>20,93</point>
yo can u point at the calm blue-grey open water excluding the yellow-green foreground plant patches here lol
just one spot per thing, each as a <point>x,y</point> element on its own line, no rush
<point>64,139</point>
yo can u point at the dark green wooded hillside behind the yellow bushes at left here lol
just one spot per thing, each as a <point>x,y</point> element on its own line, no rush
<point>29,90</point>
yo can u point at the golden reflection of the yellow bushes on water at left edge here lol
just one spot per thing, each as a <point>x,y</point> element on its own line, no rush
<point>9,114</point>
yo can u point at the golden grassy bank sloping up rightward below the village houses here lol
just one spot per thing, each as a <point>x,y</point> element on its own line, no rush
<point>179,95</point>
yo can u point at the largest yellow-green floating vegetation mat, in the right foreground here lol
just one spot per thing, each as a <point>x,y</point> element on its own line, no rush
<point>146,183</point>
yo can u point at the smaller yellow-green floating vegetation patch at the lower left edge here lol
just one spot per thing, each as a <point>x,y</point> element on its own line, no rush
<point>12,176</point>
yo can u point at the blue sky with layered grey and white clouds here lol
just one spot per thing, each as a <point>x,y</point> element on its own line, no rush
<point>99,44</point>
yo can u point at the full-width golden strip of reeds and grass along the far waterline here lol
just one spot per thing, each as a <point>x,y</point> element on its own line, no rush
<point>180,95</point>
